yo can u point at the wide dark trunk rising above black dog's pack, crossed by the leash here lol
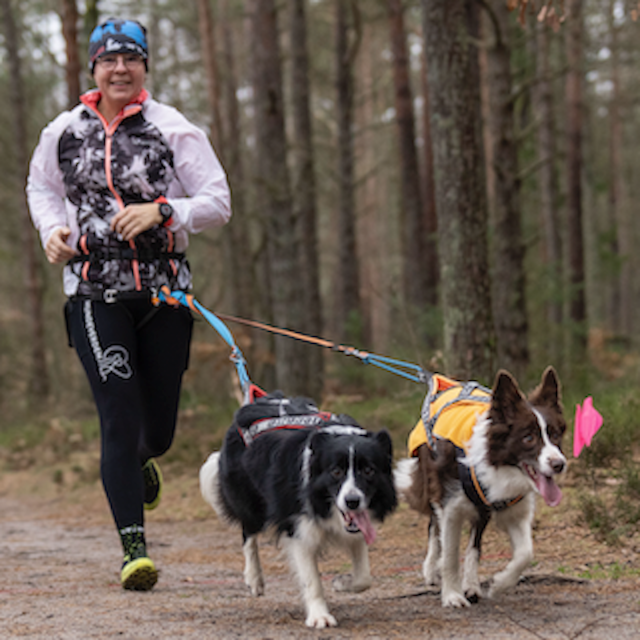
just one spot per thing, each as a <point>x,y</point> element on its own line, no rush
<point>274,195</point>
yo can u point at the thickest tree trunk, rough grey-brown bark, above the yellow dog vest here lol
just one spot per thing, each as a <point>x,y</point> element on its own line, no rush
<point>450,30</point>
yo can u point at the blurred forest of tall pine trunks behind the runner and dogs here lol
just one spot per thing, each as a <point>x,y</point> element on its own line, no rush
<point>448,182</point>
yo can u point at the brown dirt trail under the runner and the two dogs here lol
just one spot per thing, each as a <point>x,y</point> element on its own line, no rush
<point>60,561</point>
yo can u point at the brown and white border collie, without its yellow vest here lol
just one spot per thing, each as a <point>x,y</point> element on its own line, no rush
<point>514,453</point>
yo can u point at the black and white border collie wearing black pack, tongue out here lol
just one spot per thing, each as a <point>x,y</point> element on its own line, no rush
<point>316,478</point>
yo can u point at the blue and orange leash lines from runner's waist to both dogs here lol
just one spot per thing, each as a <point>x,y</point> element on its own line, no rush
<point>406,370</point>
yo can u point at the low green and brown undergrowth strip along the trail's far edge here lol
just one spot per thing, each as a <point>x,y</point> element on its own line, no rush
<point>607,473</point>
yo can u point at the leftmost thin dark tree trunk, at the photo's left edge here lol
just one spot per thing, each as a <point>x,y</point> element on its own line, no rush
<point>39,383</point>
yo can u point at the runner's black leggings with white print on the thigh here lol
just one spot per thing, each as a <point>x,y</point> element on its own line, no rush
<point>134,356</point>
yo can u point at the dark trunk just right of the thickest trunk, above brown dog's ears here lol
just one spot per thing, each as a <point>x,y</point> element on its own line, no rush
<point>509,287</point>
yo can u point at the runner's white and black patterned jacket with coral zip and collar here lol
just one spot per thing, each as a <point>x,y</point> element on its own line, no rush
<point>84,170</point>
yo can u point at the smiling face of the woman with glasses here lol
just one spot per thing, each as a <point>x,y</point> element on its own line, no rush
<point>119,78</point>
